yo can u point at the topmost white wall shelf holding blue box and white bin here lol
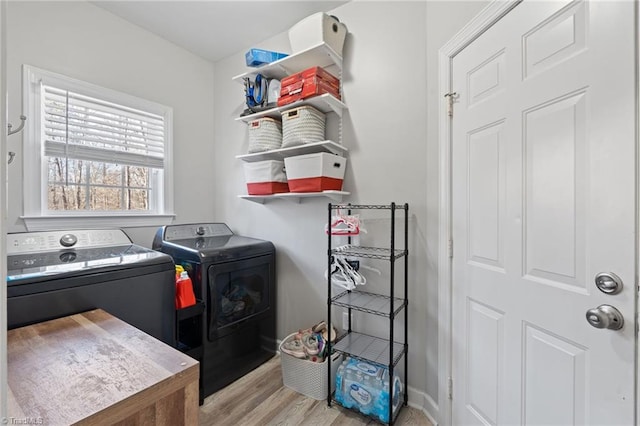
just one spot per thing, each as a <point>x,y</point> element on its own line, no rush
<point>320,55</point>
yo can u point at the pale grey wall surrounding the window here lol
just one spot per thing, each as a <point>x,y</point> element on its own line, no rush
<point>82,41</point>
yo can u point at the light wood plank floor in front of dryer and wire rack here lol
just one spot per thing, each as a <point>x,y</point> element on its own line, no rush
<point>260,398</point>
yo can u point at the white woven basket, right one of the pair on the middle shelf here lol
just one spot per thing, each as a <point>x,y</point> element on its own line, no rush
<point>302,125</point>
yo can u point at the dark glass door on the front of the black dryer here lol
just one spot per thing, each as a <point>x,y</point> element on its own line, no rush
<point>239,291</point>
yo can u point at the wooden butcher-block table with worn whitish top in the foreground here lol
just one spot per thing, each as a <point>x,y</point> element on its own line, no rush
<point>92,368</point>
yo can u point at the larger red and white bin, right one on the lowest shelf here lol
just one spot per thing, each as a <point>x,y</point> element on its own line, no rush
<point>315,172</point>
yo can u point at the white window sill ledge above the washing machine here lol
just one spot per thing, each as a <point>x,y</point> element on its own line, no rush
<point>48,223</point>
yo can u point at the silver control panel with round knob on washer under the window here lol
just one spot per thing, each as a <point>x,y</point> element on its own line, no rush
<point>29,242</point>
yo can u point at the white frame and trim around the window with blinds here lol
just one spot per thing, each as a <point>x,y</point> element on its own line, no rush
<point>36,214</point>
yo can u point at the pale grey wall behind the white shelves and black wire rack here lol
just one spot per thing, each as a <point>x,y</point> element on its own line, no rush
<point>390,86</point>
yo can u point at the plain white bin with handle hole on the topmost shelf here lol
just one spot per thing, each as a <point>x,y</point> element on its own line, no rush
<point>315,29</point>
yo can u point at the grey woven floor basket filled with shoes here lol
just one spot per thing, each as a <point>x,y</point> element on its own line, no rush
<point>307,377</point>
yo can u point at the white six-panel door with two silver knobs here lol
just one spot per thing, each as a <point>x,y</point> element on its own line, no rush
<point>544,199</point>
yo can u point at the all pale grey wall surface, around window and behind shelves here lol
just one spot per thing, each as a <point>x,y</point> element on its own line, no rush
<point>390,129</point>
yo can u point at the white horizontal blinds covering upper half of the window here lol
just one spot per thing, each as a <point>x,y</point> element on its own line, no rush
<point>84,128</point>
